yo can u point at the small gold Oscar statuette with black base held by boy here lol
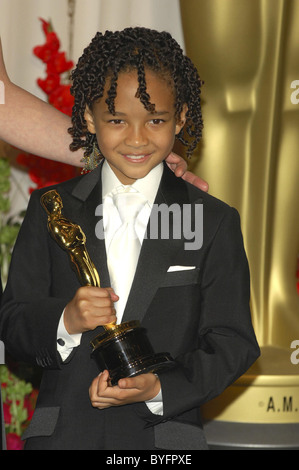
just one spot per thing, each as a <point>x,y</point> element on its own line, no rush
<point>124,349</point>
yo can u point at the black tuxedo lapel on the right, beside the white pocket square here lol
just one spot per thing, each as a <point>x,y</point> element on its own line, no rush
<point>156,254</point>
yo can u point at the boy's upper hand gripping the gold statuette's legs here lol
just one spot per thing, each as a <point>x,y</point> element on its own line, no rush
<point>90,307</point>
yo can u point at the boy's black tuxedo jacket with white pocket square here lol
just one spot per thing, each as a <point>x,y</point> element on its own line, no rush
<point>200,316</point>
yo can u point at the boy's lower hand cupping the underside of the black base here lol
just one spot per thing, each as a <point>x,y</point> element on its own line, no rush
<point>130,390</point>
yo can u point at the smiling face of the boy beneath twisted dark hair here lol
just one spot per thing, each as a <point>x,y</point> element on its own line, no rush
<point>134,140</point>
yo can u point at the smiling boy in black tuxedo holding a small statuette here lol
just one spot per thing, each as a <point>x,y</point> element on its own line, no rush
<point>134,92</point>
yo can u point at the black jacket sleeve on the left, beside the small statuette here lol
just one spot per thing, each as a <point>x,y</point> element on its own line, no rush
<point>29,315</point>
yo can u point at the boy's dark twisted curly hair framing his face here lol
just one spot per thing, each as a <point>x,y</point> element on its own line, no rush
<point>134,49</point>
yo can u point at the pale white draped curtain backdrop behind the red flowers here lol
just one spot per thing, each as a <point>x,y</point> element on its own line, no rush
<point>20,31</point>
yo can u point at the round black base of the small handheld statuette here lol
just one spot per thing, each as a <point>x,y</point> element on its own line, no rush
<point>125,351</point>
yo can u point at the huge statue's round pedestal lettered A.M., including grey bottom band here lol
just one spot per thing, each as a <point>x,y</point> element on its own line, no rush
<point>261,409</point>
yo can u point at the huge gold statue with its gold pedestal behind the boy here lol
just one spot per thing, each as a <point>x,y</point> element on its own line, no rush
<point>247,53</point>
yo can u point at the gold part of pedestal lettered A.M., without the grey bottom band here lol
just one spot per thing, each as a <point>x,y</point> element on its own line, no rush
<point>267,393</point>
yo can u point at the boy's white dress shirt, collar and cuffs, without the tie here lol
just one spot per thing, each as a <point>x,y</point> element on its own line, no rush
<point>148,186</point>
